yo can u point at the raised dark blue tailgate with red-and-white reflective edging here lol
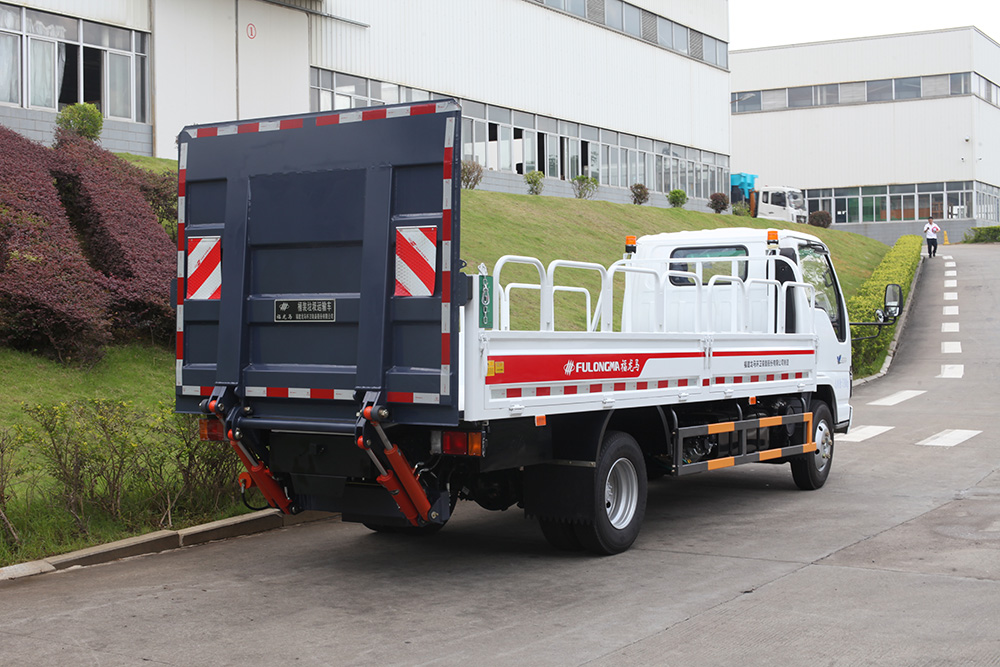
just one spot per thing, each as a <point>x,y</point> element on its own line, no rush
<point>292,288</point>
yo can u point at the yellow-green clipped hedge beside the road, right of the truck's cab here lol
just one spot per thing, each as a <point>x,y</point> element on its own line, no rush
<point>898,266</point>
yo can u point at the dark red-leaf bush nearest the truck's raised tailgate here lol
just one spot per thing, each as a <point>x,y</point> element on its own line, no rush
<point>120,234</point>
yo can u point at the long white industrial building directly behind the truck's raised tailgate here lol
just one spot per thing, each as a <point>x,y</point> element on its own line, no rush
<point>624,91</point>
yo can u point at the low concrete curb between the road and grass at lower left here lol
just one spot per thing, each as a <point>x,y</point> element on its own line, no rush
<point>165,540</point>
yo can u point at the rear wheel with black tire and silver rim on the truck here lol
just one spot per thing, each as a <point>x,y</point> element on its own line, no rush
<point>619,496</point>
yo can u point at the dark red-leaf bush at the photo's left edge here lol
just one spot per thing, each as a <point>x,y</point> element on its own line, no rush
<point>51,300</point>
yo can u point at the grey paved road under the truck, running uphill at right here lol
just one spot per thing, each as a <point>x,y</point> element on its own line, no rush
<point>896,561</point>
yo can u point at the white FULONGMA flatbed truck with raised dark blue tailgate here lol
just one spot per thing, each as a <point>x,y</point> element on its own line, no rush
<point>324,327</point>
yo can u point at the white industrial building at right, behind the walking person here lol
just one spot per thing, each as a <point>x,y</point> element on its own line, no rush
<point>882,132</point>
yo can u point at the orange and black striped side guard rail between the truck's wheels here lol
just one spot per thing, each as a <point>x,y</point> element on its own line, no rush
<point>741,428</point>
